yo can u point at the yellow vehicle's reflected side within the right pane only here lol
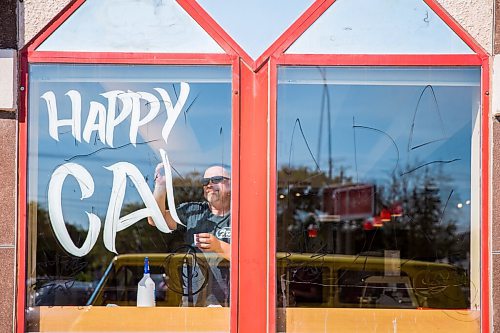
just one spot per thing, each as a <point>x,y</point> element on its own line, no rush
<point>307,280</point>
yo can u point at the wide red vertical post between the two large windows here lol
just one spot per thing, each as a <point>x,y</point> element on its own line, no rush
<point>253,270</point>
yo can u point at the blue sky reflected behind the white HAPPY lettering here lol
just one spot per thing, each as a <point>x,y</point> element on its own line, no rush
<point>201,135</point>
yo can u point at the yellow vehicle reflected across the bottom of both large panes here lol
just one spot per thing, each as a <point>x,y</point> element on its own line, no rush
<point>305,280</point>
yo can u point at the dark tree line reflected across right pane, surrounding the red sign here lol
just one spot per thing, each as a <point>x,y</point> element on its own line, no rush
<point>426,228</point>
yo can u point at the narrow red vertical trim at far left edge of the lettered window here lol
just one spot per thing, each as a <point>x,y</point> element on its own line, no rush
<point>22,197</point>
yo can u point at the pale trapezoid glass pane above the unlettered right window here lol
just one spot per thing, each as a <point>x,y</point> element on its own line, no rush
<point>379,27</point>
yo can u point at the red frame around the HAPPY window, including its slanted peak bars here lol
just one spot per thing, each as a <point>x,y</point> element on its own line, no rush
<point>29,55</point>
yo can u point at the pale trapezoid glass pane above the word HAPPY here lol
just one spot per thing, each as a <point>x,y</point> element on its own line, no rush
<point>131,26</point>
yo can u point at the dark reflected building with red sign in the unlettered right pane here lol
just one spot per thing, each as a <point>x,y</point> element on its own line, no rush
<point>335,215</point>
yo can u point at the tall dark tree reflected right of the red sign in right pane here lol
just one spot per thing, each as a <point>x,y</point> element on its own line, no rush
<point>426,230</point>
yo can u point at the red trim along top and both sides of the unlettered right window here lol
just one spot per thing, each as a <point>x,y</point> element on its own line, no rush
<point>485,159</point>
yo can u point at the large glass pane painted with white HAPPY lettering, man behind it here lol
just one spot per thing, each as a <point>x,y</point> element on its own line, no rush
<point>128,162</point>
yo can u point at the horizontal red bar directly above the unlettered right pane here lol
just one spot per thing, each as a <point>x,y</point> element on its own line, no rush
<point>379,60</point>
